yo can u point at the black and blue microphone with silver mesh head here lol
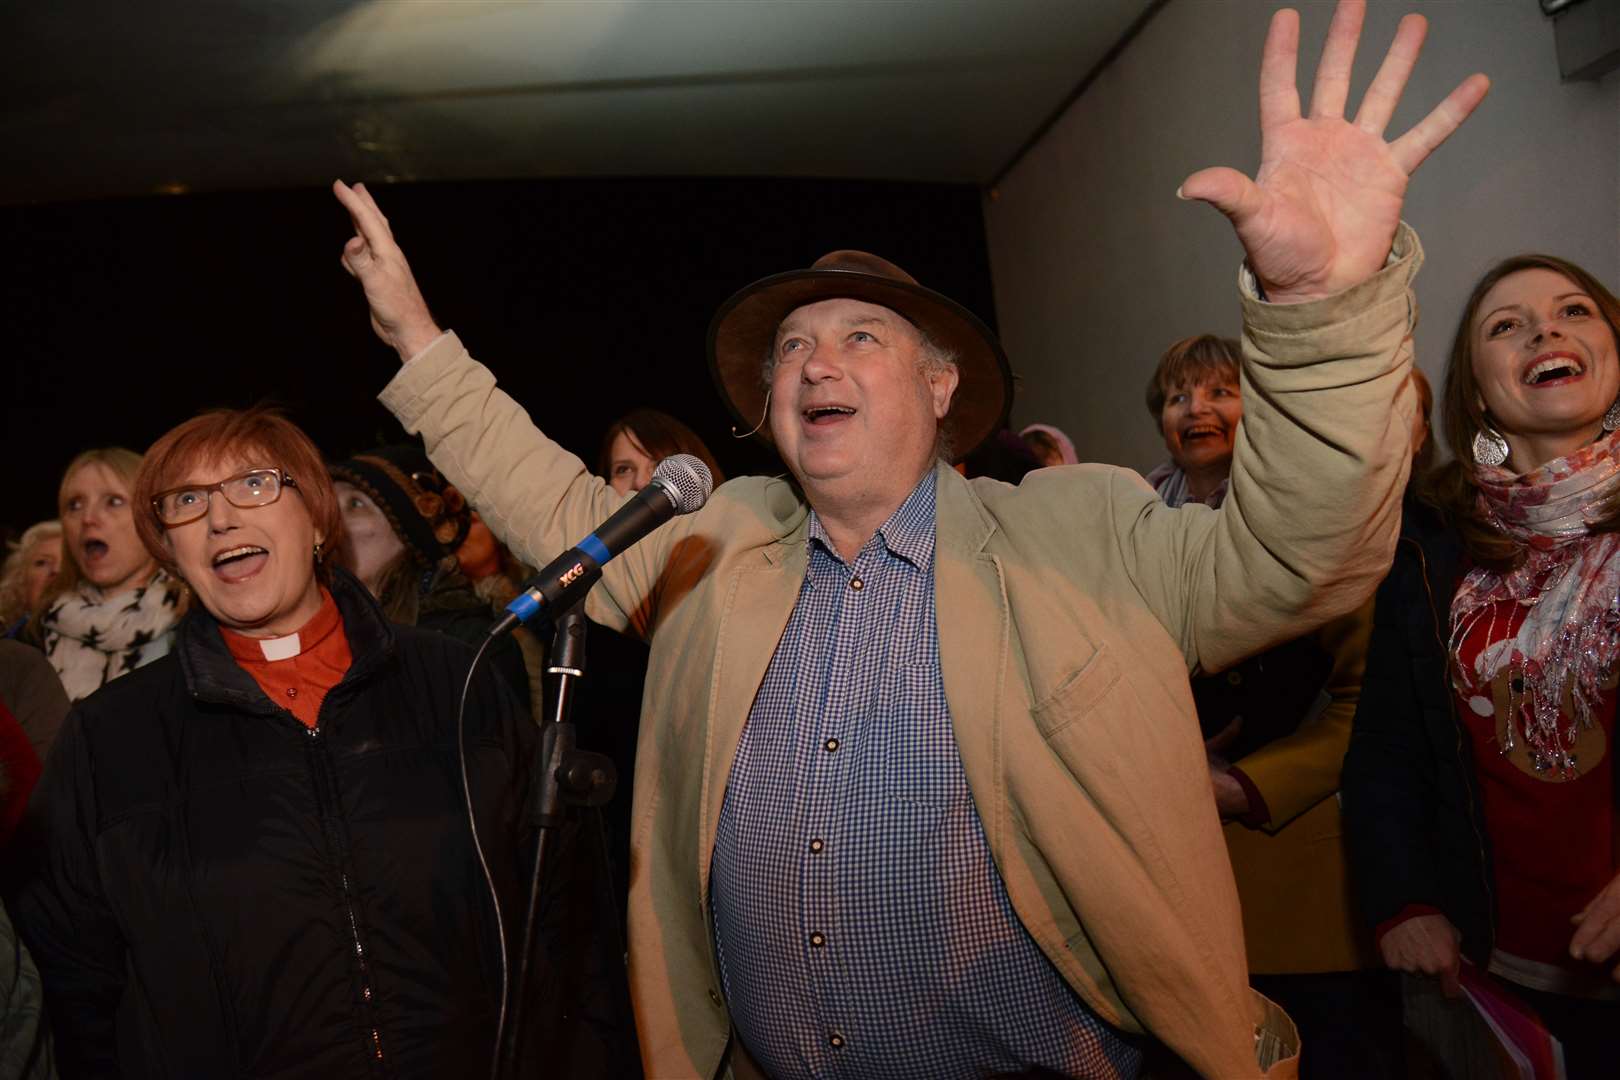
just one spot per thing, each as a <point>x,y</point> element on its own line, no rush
<point>681,485</point>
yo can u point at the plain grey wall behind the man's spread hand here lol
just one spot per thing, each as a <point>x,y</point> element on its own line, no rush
<point>1099,266</point>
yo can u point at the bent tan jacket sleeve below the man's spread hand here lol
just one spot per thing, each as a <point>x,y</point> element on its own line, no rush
<point>1321,459</point>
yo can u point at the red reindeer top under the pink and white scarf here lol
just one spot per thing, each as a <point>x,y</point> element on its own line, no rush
<point>1551,840</point>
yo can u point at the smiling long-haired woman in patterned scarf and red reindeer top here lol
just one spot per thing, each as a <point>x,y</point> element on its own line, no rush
<point>1480,789</point>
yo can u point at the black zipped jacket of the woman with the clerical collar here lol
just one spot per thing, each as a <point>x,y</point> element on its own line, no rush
<point>257,899</point>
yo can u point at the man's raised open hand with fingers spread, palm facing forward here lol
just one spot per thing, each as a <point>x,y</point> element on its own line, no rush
<point>1323,211</point>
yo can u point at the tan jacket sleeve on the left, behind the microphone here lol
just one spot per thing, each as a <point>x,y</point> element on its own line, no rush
<point>537,498</point>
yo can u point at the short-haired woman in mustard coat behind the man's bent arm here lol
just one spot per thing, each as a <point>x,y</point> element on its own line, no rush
<point>1276,731</point>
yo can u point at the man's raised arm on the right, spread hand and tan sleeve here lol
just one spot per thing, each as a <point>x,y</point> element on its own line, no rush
<point>1323,454</point>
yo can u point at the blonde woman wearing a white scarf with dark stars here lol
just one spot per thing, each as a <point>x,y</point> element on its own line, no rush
<point>111,610</point>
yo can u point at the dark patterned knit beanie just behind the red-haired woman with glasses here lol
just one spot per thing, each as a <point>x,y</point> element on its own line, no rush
<point>427,512</point>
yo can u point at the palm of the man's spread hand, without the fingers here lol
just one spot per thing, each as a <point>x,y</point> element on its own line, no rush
<point>1329,203</point>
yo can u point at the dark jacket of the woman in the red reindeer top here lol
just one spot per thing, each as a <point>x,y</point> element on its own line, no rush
<point>1413,819</point>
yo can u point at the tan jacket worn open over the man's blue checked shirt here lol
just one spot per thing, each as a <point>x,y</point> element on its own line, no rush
<point>1070,613</point>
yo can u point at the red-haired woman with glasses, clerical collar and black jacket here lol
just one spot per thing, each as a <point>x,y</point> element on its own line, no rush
<point>255,853</point>
